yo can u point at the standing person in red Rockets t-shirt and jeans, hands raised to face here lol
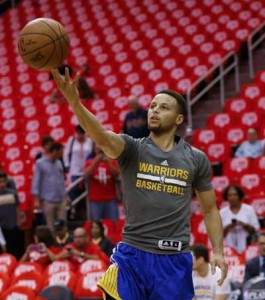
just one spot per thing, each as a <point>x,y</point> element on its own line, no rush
<point>102,173</point>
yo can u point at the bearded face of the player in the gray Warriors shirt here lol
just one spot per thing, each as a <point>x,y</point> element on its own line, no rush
<point>163,114</point>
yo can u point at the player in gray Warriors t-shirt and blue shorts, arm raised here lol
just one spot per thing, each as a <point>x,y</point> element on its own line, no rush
<point>159,172</point>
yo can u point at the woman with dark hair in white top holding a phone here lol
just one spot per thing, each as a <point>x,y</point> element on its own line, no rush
<point>239,219</point>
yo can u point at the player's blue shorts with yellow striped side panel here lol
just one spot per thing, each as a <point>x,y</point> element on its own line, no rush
<point>142,275</point>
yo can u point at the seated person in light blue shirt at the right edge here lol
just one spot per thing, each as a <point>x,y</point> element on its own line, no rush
<point>253,147</point>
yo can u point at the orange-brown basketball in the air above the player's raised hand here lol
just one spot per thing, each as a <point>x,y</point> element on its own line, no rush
<point>43,44</point>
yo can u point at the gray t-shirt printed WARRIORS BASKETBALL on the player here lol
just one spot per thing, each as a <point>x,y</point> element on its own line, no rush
<point>157,192</point>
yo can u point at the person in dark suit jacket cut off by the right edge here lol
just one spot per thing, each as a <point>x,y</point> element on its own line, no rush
<point>256,266</point>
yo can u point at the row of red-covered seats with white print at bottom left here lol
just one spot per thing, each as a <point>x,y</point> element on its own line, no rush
<point>14,274</point>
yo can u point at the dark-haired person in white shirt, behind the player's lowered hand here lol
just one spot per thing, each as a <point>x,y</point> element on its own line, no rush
<point>205,283</point>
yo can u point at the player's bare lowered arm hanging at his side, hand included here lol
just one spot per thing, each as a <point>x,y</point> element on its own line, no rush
<point>214,228</point>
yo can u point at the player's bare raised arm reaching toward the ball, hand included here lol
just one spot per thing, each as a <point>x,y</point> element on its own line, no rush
<point>110,143</point>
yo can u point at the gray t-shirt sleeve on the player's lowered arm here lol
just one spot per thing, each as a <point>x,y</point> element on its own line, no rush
<point>202,181</point>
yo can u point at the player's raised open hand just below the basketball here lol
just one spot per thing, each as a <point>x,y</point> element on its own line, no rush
<point>67,87</point>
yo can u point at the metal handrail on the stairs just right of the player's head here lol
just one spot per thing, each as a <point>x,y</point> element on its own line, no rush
<point>220,77</point>
